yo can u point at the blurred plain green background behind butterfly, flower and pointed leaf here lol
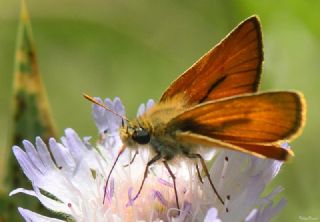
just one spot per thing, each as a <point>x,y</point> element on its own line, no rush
<point>134,49</point>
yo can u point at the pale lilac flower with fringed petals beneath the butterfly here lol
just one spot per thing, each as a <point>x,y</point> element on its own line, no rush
<point>74,172</point>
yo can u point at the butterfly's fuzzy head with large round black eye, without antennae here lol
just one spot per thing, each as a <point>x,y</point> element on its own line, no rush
<point>134,134</point>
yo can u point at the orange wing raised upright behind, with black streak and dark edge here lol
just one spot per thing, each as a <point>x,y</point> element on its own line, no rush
<point>231,68</point>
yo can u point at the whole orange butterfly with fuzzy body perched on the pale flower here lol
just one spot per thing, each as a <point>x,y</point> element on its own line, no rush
<point>215,103</point>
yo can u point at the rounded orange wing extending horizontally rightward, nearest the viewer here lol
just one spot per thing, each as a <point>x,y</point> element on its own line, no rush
<point>252,118</point>
